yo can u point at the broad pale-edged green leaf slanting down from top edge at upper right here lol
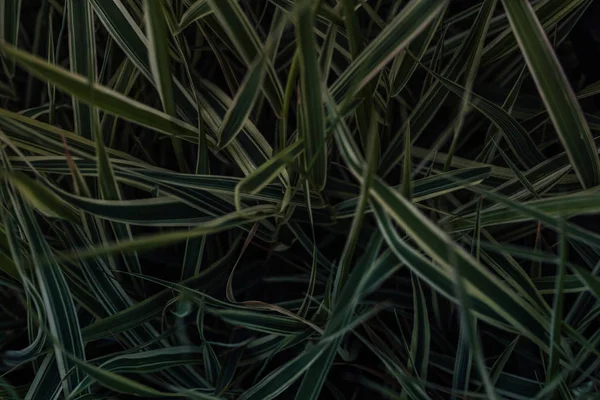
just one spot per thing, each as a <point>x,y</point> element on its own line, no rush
<point>556,92</point>
